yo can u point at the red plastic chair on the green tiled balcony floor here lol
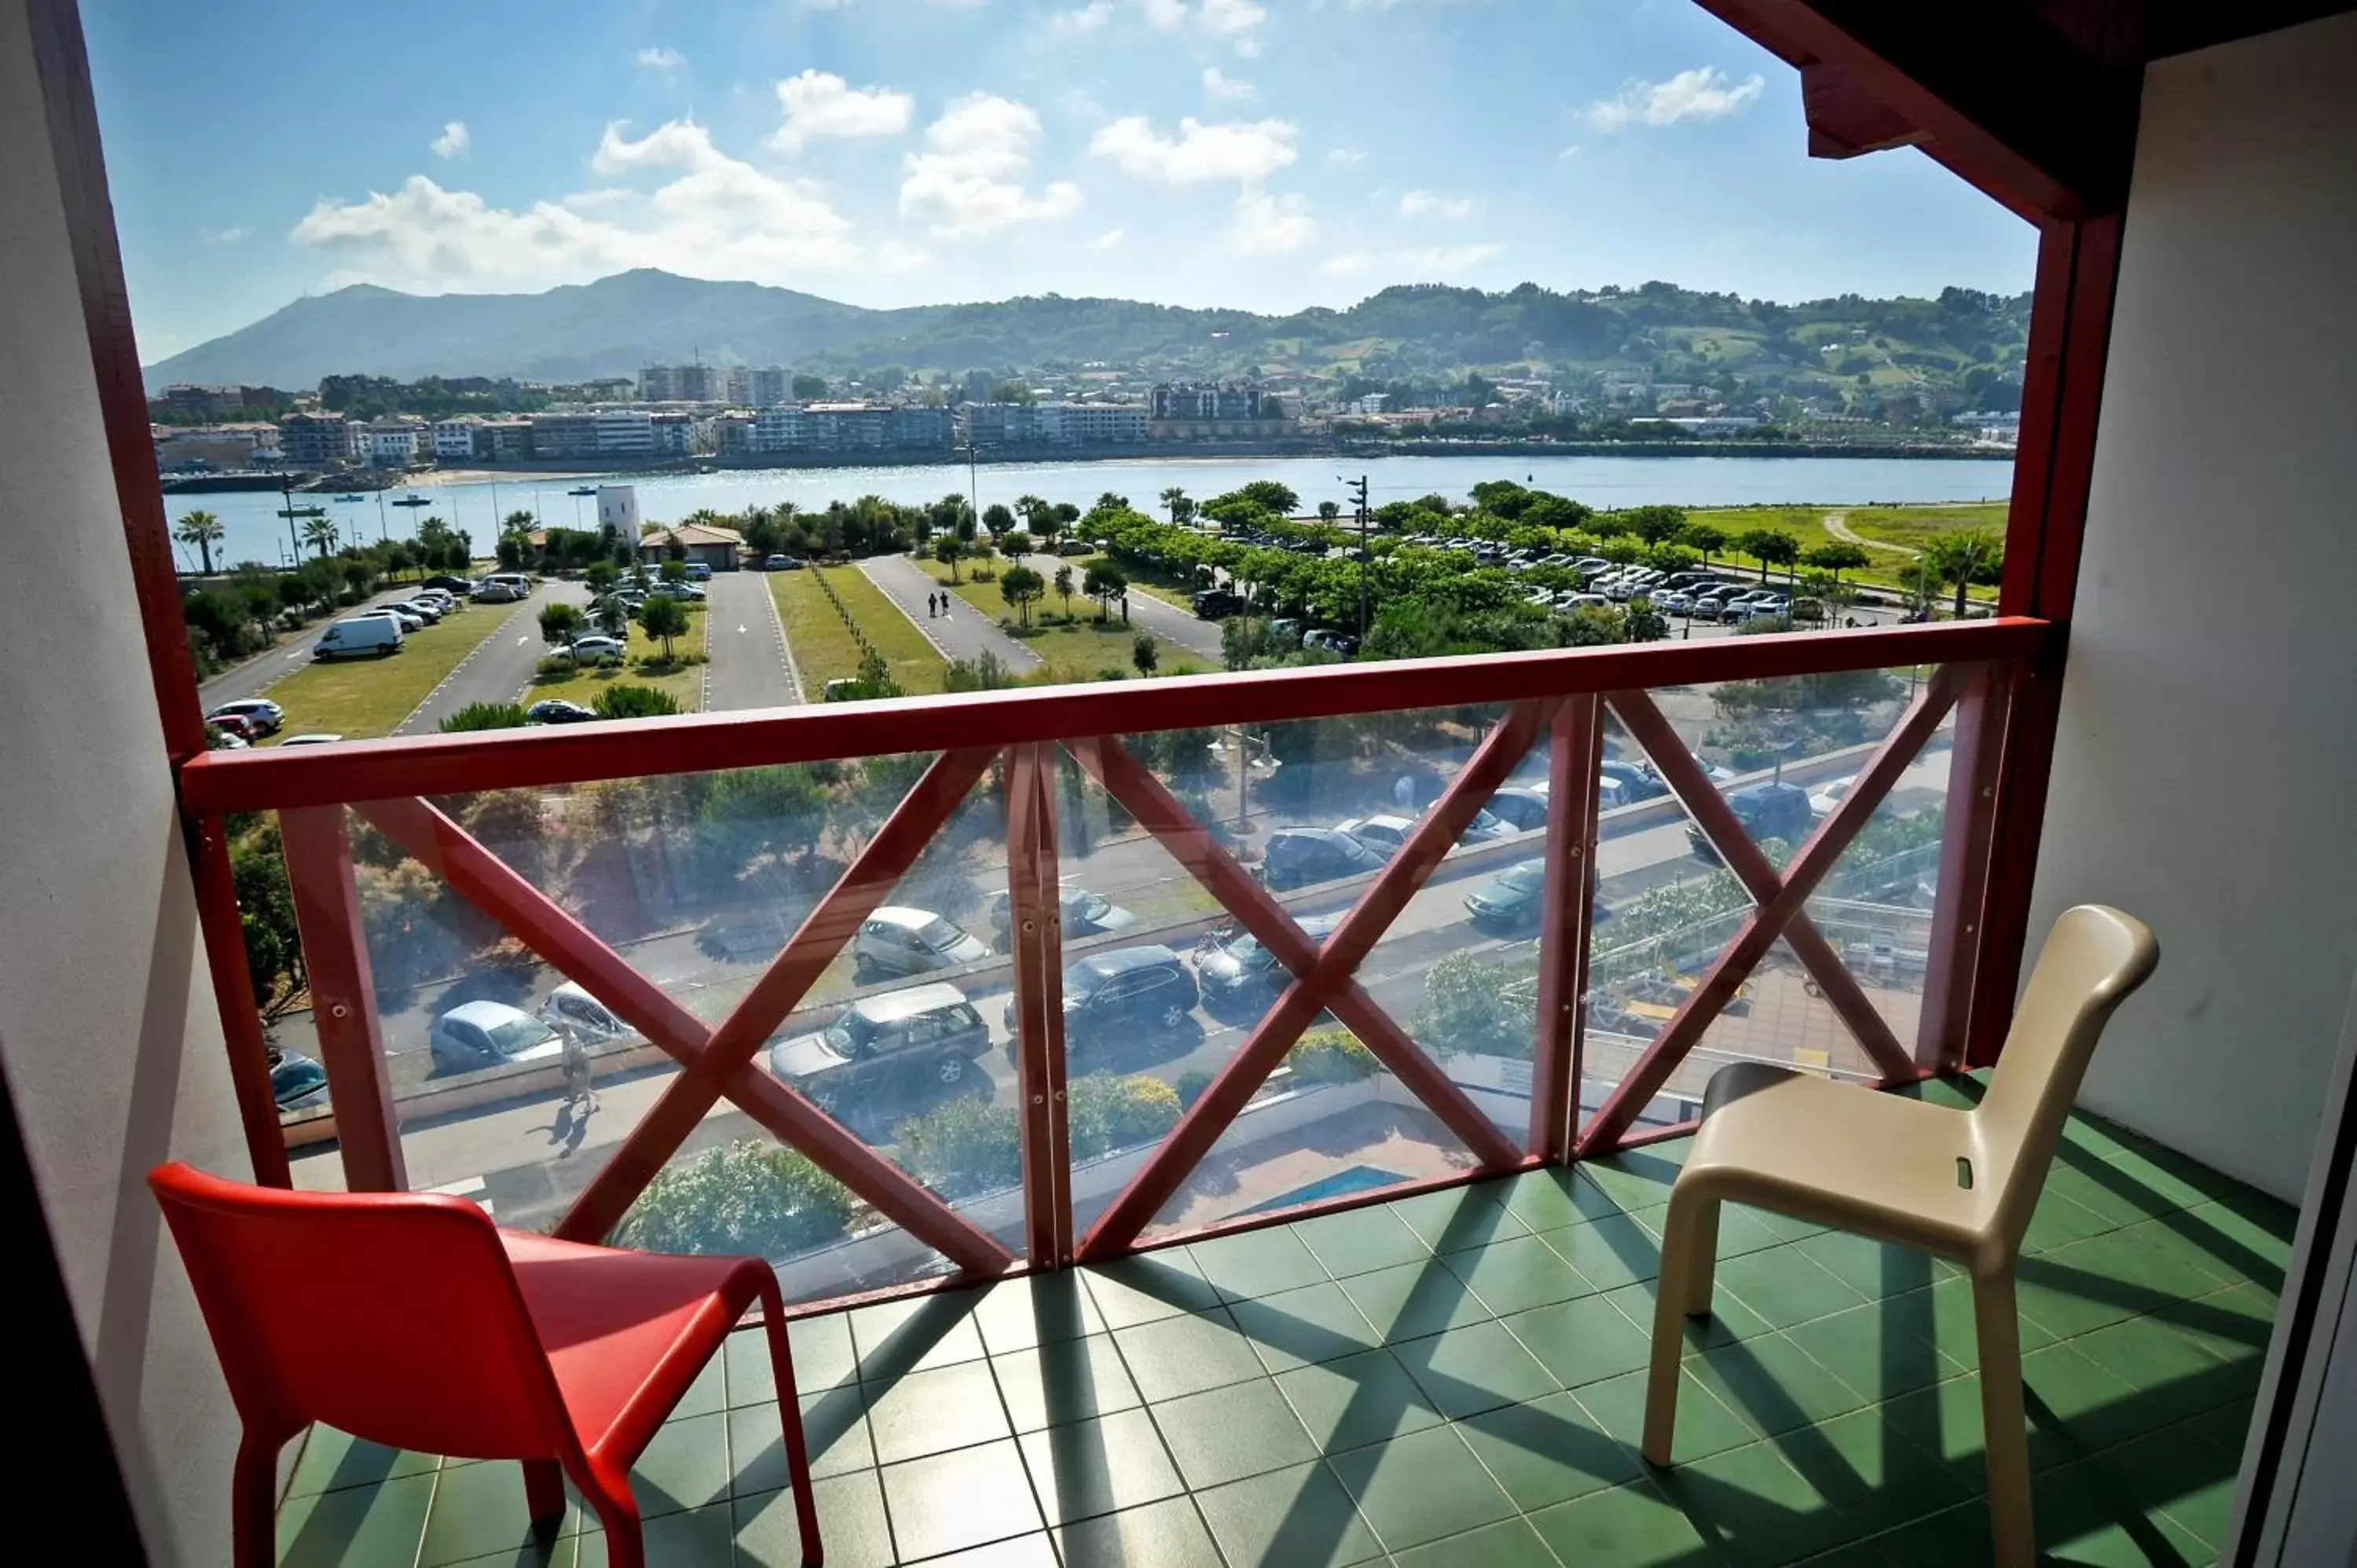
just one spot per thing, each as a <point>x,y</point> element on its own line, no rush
<point>414,1322</point>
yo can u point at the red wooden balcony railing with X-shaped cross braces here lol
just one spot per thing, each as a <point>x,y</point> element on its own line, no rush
<point>1559,699</point>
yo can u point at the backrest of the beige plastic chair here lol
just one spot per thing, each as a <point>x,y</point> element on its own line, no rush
<point>2092,963</point>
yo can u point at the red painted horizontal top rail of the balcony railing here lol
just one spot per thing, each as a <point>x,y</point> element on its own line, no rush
<point>579,753</point>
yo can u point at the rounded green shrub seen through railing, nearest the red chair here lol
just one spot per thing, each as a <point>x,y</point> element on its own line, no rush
<point>739,1199</point>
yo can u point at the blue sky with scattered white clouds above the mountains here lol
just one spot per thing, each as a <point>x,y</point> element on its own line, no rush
<point>897,152</point>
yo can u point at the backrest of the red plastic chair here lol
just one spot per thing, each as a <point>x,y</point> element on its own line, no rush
<point>392,1317</point>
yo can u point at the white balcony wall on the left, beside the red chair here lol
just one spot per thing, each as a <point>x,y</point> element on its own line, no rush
<point>107,1020</point>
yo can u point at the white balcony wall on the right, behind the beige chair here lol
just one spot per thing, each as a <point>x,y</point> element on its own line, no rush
<point>2207,767</point>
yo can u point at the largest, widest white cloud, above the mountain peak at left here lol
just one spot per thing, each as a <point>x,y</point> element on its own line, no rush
<point>708,216</point>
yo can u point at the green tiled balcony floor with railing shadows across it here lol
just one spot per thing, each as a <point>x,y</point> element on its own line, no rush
<point>1451,1383</point>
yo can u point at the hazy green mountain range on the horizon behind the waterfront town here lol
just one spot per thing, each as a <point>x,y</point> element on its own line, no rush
<point>635,319</point>
